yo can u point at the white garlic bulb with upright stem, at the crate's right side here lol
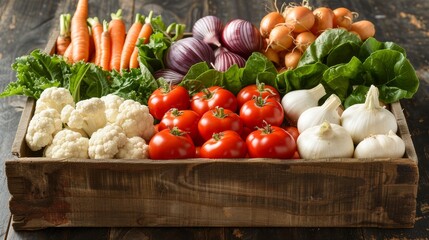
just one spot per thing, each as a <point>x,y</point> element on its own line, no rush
<point>369,118</point>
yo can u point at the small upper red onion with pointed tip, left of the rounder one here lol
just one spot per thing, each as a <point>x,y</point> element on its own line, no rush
<point>208,29</point>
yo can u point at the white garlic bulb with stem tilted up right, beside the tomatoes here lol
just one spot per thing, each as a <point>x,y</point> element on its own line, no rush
<point>296,102</point>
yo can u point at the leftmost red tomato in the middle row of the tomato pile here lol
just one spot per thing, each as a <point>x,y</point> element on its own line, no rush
<point>185,120</point>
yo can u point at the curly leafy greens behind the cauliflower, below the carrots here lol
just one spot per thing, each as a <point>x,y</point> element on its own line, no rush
<point>37,71</point>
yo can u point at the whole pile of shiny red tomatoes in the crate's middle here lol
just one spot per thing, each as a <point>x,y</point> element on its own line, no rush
<point>215,123</point>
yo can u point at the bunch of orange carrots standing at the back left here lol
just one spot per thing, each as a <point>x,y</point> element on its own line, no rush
<point>106,44</point>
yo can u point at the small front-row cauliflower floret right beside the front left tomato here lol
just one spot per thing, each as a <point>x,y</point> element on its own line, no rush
<point>134,148</point>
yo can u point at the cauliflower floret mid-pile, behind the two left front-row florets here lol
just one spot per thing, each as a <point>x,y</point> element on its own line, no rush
<point>88,115</point>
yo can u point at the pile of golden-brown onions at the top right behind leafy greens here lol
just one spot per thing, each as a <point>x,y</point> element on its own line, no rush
<point>289,32</point>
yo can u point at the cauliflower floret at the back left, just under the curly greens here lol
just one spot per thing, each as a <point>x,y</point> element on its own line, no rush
<point>55,98</point>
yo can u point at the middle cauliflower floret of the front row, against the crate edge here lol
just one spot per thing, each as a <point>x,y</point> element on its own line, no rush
<point>106,142</point>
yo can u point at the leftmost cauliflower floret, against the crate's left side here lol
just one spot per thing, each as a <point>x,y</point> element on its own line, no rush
<point>42,128</point>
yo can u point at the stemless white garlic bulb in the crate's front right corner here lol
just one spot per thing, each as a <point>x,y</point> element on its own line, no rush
<point>381,146</point>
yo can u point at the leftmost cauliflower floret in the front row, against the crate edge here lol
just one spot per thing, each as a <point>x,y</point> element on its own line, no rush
<point>68,144</point>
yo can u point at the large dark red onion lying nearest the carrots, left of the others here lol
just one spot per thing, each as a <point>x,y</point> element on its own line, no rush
<point>186,52</point>
